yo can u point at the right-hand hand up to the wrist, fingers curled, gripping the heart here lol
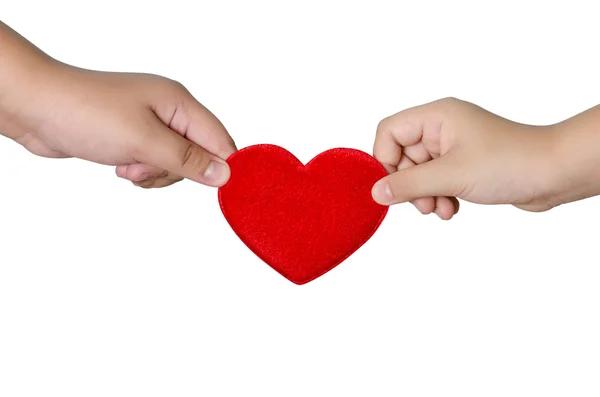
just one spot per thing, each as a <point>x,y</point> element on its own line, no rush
<point>451,149</point>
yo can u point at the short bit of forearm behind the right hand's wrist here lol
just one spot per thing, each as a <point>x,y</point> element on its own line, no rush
<point>578,156</point>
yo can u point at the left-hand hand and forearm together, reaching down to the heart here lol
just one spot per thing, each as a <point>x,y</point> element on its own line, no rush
<point>149,127</point>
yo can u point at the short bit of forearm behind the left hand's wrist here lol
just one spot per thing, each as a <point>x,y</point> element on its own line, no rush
<point>22,69</point>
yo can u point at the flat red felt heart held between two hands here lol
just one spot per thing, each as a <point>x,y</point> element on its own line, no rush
<point>302,220</point>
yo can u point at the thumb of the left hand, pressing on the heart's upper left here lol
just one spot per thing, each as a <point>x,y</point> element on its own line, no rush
<point>168,150</point>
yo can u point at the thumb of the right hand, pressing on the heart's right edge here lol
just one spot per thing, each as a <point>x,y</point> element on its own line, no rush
<point>431,179</point>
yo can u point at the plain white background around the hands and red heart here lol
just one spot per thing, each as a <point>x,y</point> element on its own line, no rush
<point>111,290</point>
